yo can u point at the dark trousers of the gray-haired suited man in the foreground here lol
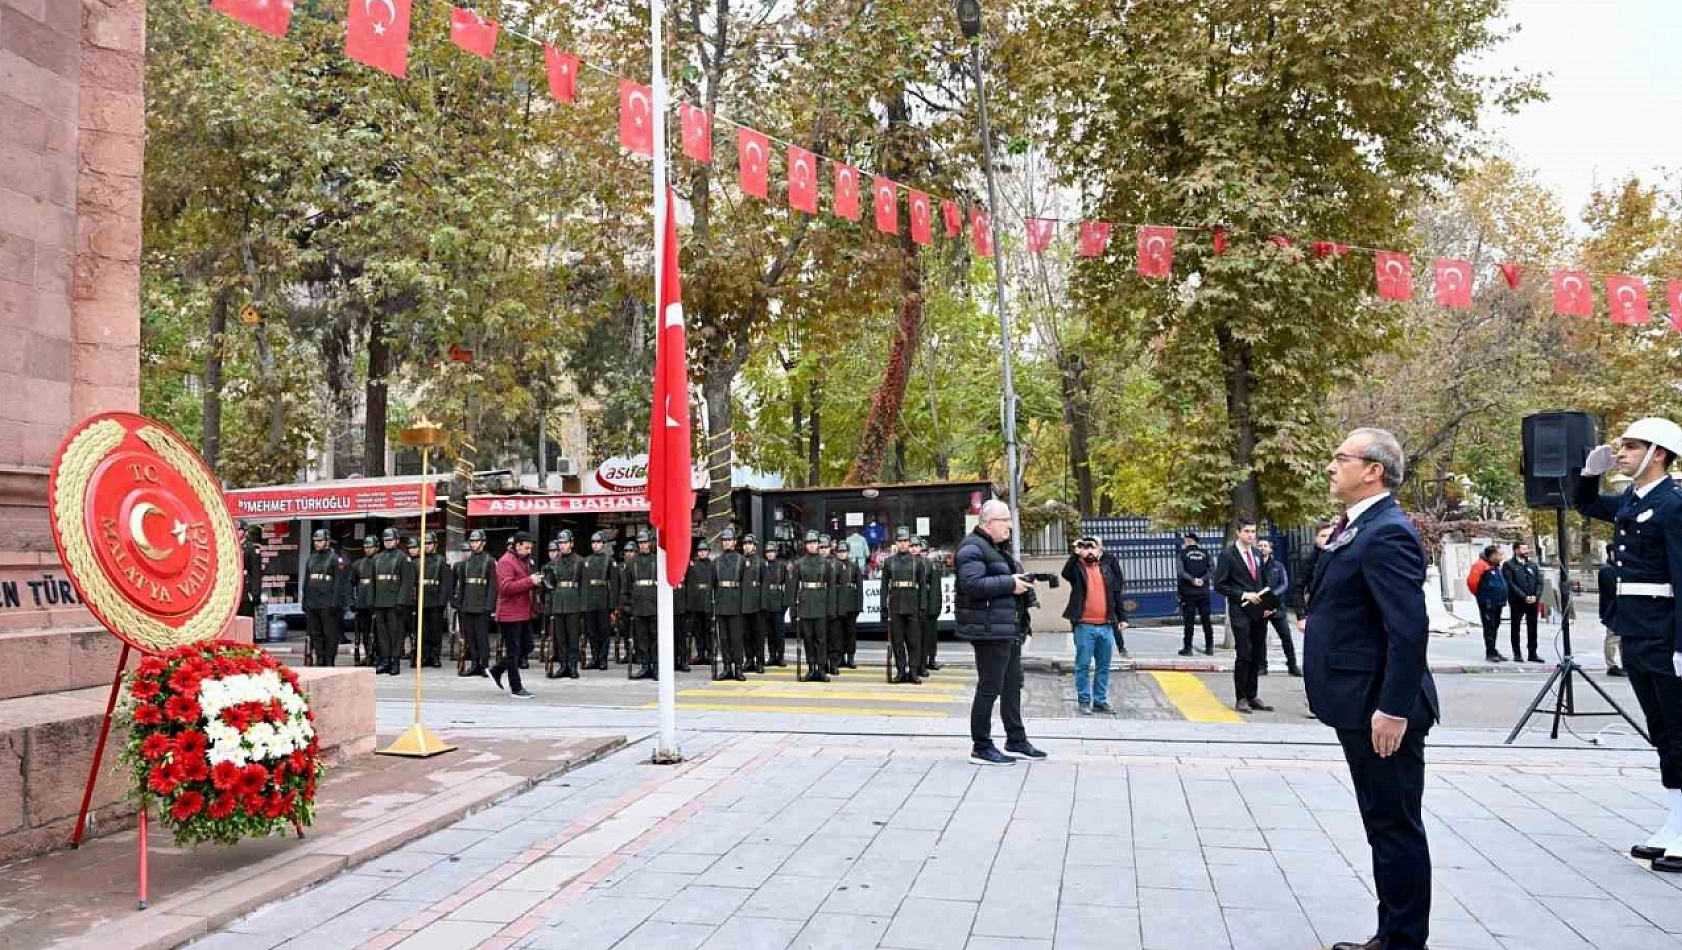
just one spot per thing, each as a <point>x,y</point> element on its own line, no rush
<point>1390,794</point>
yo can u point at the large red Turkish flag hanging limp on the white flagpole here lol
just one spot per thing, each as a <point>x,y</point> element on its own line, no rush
<point>670,493</point>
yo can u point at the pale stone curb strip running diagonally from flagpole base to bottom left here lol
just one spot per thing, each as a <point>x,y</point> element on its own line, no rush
<point>230,897</point>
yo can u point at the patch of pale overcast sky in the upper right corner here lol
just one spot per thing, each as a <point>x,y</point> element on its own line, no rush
<point>1616,85</point>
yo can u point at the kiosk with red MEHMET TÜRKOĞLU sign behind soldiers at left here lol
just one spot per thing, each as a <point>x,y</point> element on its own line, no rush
<point>349,509</point>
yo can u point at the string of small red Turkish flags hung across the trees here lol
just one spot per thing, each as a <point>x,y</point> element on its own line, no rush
<point>378,36</point>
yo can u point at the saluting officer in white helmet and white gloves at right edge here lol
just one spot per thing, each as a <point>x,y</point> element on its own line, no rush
<point>1648,534</point>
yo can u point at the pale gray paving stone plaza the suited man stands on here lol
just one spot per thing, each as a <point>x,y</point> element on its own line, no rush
<point>770,842</point>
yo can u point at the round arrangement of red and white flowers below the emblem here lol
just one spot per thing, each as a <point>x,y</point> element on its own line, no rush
<point>223,742</point>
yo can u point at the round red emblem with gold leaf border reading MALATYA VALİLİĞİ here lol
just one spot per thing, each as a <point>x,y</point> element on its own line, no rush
<point>144,532</point>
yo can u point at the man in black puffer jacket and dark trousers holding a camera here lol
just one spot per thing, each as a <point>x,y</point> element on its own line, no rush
<point>990,589</point>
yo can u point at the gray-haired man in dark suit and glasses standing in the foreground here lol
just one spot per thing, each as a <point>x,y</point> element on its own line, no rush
<point>1367,677</point>
